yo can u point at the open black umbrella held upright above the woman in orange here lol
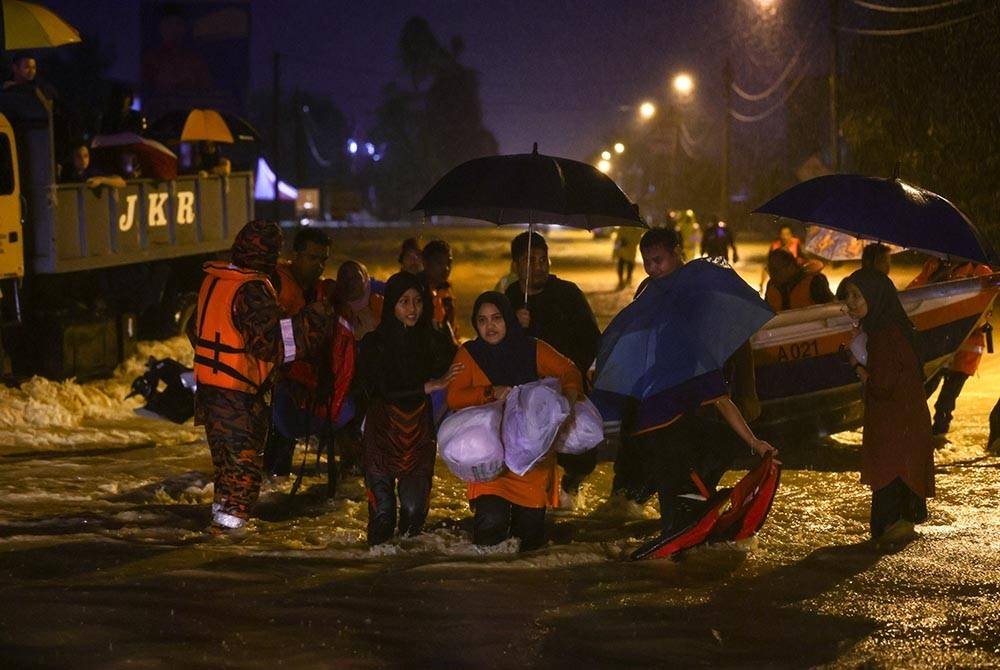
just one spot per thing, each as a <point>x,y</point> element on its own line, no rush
<point>531,188</point>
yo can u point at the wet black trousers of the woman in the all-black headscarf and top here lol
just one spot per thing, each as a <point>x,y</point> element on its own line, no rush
<point>414,493</point>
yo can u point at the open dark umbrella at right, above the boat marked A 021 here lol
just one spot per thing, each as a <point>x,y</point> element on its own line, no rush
<point>886,210</point>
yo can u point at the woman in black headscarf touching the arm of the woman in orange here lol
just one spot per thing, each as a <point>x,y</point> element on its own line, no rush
<point>400,364</point>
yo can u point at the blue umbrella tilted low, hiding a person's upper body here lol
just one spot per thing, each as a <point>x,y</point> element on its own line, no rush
<point>666,348</point>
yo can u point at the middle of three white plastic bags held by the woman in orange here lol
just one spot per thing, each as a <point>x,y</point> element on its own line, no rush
<point>532,416</point>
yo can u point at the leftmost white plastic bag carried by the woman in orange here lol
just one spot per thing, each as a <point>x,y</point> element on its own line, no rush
<point>469,442</point>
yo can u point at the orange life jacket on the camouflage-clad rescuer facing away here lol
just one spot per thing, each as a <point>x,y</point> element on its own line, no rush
<point>220,356</point>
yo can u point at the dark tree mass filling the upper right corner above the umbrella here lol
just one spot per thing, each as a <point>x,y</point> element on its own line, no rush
<point>927,103</point>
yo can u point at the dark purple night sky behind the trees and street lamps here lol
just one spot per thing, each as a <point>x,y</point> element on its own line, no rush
<point>556,72</point>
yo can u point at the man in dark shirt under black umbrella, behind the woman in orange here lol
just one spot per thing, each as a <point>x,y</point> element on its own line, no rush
<point>558,313</point>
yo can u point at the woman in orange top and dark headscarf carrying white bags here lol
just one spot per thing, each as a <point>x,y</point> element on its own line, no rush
<point>501,357</point>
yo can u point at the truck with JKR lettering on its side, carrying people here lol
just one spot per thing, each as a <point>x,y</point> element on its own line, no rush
<point>86,272</point>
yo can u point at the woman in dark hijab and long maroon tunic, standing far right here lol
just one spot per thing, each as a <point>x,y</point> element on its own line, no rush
<point>897,451</point>
